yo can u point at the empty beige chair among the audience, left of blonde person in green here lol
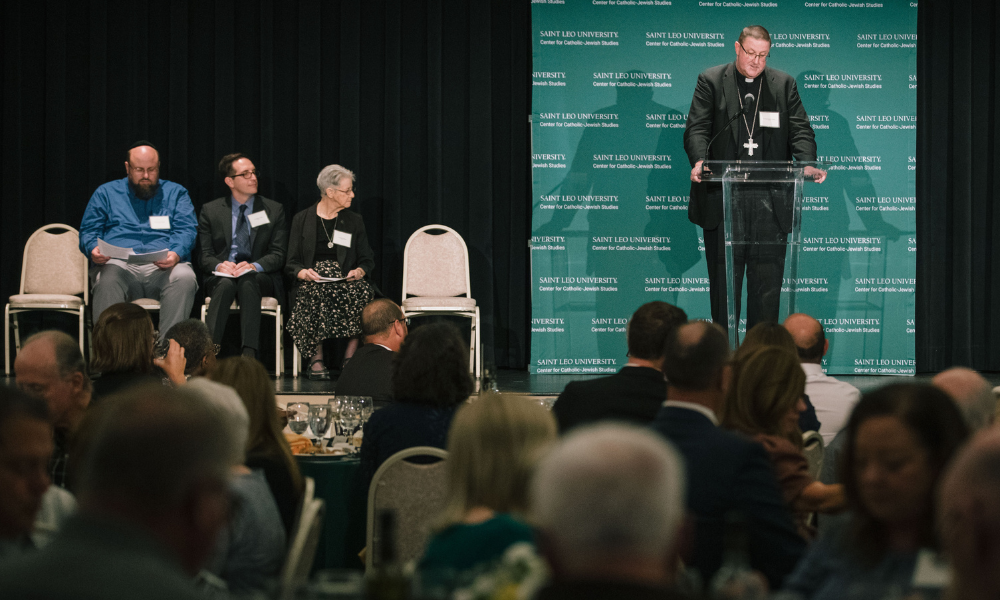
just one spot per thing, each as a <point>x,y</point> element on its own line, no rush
<point>415,492</point>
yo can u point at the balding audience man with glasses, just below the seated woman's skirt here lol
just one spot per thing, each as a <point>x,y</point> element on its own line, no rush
<point>369,372</point>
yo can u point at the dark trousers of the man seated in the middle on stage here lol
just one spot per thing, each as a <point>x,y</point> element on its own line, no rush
<point>249,289</point>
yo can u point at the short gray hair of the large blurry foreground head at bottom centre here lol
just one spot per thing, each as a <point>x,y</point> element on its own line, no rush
<point>610,490</point>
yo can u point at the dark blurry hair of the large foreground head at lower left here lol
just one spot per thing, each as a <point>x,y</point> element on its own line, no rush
<point>149,447</point>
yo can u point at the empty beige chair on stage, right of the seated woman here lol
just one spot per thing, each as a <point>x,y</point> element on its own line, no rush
<point>436,282</point>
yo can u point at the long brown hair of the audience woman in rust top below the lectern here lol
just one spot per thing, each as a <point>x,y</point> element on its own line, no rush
<point>765,395</point>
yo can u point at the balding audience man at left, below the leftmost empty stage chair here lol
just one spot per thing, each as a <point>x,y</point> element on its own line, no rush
<point>51,367</point>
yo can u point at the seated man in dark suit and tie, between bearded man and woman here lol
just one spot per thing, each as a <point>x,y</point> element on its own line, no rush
<point>243,242</point>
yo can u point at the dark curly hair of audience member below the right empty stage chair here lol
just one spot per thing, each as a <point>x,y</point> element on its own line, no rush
<point>432,367</point>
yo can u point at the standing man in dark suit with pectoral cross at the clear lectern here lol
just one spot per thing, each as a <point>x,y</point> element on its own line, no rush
<point>776,129</point>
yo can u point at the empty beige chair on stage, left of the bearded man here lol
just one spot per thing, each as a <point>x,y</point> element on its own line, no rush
<point>53,277</point>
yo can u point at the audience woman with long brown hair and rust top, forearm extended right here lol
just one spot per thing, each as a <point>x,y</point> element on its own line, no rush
<point>764,402</point>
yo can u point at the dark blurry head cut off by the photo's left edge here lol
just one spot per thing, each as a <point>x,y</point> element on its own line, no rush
<point>25,448</point>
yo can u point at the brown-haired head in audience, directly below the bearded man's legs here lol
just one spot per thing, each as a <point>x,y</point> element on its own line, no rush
<point>123,340</point>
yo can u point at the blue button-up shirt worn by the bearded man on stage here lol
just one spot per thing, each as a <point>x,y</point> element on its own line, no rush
<point>116,216</point>
